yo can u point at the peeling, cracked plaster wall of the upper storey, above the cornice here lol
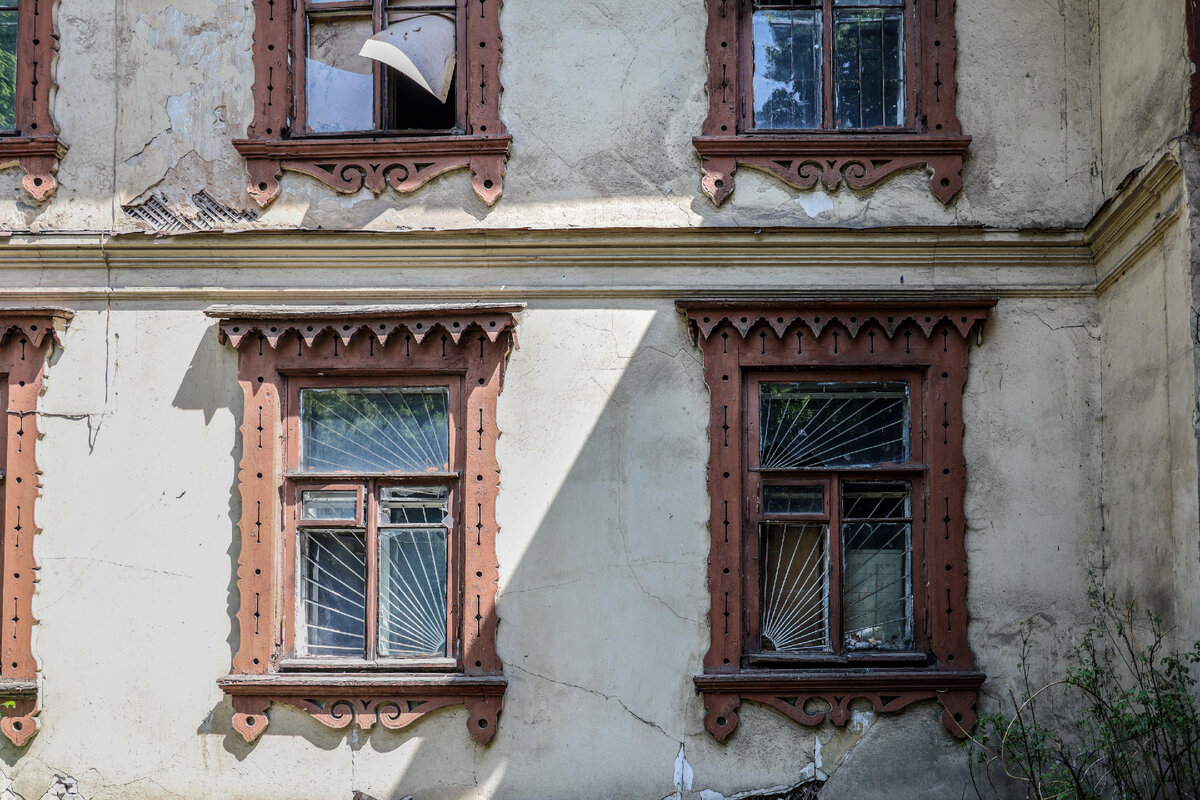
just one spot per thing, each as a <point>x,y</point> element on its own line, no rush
<point>152,94</point>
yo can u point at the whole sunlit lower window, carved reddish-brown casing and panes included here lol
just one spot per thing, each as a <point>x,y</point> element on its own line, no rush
<point>369,480</point>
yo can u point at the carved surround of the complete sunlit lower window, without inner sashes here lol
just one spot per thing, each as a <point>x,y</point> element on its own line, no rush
<point>278,353</point>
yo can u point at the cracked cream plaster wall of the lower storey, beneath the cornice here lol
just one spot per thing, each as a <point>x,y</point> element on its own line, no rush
<point>603,567</point>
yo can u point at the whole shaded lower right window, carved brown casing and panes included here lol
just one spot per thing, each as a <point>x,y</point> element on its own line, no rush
<point>838,563</point>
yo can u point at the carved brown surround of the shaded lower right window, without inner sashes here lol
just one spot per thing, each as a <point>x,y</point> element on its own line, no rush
<point>922,338</point>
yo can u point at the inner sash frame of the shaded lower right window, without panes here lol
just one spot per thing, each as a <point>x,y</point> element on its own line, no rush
<point>831,479</point>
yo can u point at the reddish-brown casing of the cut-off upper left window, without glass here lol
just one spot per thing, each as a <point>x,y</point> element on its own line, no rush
<point>34,146</point>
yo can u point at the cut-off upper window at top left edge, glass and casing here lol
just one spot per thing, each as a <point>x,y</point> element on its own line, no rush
<point>27,134</point>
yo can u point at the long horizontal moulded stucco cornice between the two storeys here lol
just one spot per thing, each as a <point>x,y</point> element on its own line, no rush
<point>311,267</point>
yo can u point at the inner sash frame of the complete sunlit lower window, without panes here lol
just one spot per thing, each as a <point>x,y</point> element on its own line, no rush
<point>369,488</point>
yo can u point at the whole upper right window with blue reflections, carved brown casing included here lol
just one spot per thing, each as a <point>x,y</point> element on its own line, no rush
<point>830,92</point>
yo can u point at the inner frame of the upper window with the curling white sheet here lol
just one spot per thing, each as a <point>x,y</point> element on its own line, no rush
<point>381,77</point>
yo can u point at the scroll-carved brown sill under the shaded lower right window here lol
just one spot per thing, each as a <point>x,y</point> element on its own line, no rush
<point>793,691</point>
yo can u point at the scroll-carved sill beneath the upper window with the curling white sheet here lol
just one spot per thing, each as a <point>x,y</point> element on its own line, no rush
<point>349,164</point>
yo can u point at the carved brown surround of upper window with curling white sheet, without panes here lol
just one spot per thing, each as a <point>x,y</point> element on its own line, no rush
<point>350,163</point>
